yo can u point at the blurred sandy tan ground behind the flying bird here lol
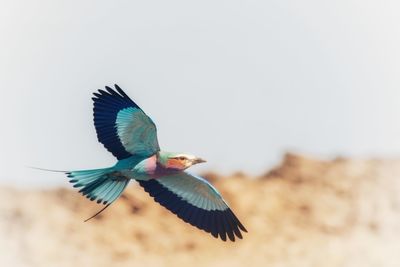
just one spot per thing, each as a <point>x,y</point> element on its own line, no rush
<point>305,212</point>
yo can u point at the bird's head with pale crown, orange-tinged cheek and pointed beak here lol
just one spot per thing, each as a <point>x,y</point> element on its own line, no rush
<point>178,161</point>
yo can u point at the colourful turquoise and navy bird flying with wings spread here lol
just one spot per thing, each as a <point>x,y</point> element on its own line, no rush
<point>130,135</point>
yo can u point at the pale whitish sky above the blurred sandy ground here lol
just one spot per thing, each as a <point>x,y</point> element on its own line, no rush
<point>236,82</point>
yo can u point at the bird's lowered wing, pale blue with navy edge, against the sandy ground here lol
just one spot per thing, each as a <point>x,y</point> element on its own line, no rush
<point>197,202</point>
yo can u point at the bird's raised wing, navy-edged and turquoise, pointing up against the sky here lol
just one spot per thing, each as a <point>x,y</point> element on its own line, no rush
<point>121,126</point>
